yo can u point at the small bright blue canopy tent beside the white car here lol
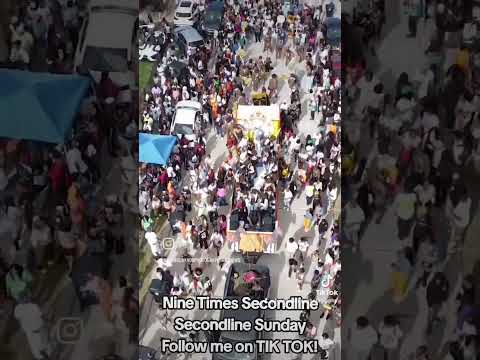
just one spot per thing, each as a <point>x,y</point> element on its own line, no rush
<point>155,149</point>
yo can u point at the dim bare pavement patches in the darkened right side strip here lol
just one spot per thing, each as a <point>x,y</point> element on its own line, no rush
<point>366,275</point>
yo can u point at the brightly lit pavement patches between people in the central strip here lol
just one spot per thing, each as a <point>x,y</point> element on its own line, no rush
<point>153,320</point>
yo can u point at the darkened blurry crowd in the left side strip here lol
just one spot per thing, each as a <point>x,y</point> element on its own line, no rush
<point>57,217</point>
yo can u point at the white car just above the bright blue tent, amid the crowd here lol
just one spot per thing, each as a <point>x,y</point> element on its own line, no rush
<point>187,119</point>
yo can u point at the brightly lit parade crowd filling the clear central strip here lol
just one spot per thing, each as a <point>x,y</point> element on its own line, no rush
<point>262,172</point>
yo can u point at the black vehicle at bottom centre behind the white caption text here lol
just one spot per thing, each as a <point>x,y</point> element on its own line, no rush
<point>235,288</point>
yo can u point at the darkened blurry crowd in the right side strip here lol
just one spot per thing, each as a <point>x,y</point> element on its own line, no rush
<point>420,165</point>
